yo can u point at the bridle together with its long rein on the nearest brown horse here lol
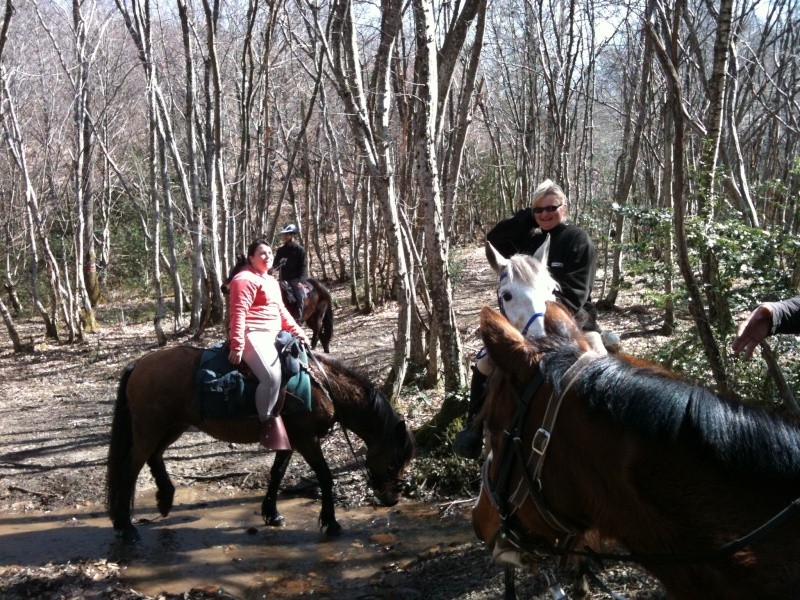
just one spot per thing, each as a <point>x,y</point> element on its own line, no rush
<point>512,449</point>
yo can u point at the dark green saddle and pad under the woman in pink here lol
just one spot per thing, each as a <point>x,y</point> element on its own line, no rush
<point>223,390</point>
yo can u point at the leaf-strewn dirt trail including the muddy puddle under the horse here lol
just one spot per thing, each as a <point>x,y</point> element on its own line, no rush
<point>55,414</point>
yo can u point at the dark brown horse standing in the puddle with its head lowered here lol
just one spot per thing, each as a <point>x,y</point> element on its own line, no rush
<point>155,406</point>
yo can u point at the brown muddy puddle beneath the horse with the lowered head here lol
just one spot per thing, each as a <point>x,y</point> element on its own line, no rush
<point>221,542</point>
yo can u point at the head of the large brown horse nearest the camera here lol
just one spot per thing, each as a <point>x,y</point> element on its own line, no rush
<point>511,430</point>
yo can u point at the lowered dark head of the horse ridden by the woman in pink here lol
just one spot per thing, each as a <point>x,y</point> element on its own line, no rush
<point>386,463</point>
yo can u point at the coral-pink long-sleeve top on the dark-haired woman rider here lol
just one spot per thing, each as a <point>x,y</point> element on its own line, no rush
<point>256,304</point>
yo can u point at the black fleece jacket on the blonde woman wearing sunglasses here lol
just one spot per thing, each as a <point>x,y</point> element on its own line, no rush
<point>571,260</point>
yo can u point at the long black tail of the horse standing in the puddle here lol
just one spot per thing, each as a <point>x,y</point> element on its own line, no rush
<point>118,493</point>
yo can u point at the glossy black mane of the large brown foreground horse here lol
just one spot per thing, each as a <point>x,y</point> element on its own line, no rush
<point>657,405</point>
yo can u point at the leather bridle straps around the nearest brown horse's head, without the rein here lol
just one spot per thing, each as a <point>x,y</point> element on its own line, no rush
<point>512,452</point>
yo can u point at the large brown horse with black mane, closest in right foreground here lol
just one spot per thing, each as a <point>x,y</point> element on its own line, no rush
<point>585,444</point>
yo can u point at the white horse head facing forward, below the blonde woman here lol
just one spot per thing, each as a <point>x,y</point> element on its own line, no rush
<point>525,286</point>
